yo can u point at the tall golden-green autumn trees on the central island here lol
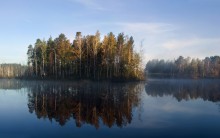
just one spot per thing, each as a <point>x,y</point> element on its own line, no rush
<point>87,57</point>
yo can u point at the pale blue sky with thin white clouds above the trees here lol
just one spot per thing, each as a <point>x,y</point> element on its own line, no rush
<point>167,28</point>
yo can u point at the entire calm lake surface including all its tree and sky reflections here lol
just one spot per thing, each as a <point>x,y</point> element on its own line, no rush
<point>157,108</point>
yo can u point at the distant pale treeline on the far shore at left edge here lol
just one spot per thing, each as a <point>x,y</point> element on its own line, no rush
<point>12,70</point>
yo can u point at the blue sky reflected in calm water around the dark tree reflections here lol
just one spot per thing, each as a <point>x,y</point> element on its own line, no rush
<point>163,116</point>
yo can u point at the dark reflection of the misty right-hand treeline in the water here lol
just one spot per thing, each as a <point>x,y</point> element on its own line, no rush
<point>185,89</point>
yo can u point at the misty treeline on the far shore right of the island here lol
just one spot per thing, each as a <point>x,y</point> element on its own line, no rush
<point>185,67</point>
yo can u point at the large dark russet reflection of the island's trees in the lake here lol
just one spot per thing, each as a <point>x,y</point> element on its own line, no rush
<point>87,103</point>
